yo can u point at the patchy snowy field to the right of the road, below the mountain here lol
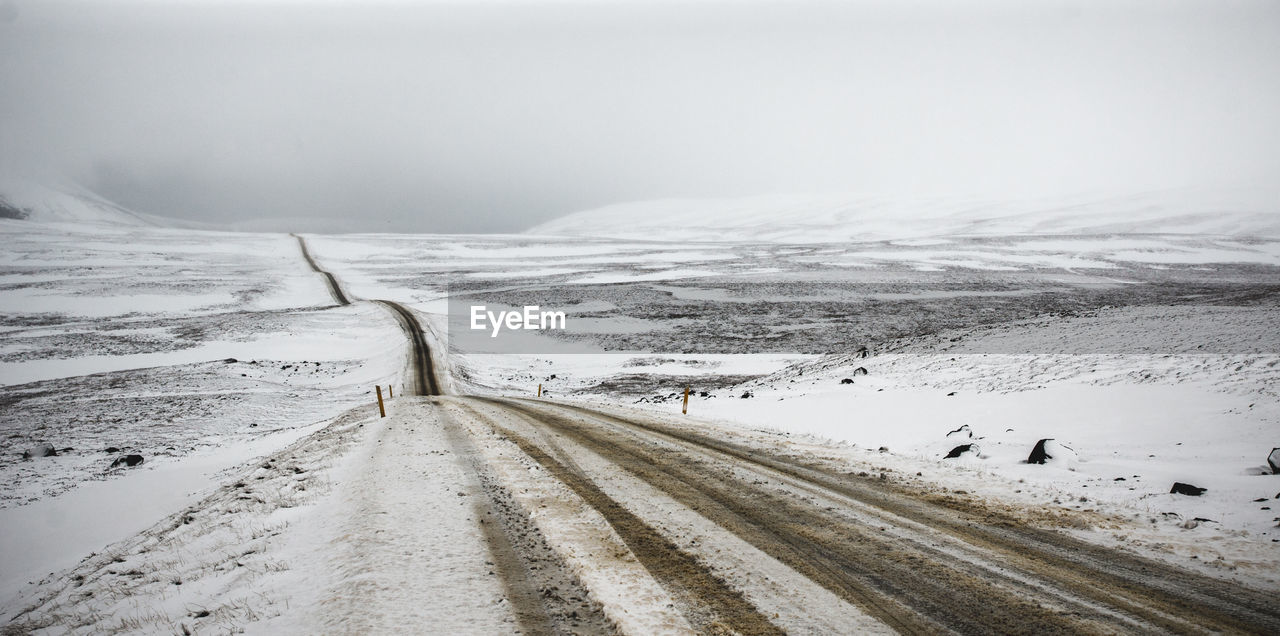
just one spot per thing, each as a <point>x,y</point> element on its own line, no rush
<point>1148,360</point>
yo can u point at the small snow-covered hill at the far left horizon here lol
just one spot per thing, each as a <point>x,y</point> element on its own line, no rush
<point>26,200</point>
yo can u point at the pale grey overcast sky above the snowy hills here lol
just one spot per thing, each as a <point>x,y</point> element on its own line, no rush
<point>492,117</point>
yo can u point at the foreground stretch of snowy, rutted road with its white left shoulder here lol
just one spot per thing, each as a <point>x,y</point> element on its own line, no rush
<point>495,515</point>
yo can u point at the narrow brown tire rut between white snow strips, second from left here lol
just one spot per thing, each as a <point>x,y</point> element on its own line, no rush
<point>714,606</point>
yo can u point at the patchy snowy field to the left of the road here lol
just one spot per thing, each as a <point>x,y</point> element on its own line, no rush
<point>196,351</point>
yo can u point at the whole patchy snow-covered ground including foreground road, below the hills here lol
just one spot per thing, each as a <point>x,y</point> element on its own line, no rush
<point>808,489</point>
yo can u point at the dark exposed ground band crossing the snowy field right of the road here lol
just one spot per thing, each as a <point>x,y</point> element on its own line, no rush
<point>793,313</point>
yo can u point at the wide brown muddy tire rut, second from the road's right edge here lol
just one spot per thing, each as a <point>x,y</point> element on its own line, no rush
<point>911,589</point>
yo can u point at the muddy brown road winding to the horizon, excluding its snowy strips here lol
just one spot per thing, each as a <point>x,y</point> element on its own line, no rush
<point>912,560</point>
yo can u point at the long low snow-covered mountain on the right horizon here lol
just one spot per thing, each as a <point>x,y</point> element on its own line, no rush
<point>1244,213</point>
